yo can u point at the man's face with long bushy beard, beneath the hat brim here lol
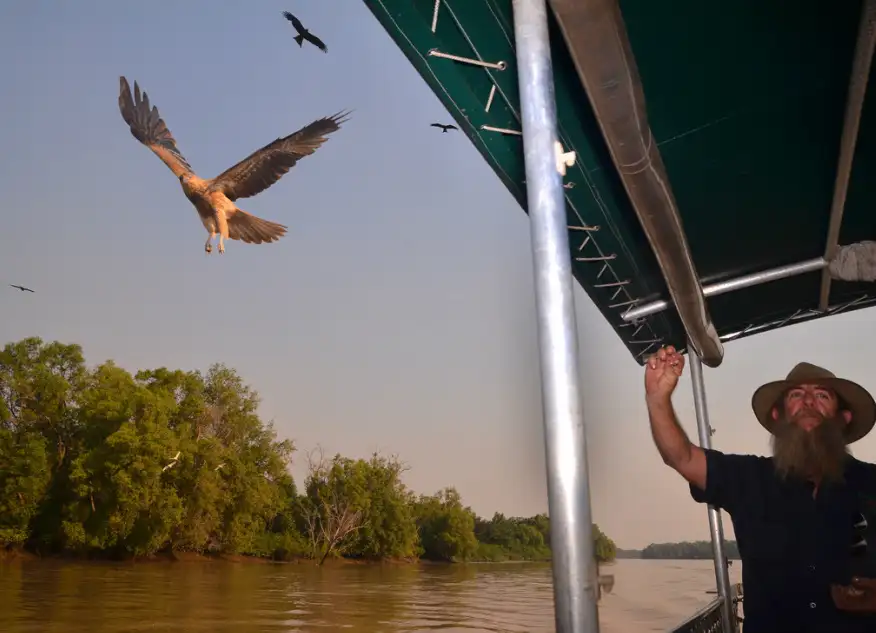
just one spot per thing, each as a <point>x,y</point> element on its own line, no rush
<point>809,438</point>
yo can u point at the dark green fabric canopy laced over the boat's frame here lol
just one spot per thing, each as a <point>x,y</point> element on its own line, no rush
<point>746,103</point>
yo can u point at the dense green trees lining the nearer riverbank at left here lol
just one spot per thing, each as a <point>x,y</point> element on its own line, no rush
<point>97,463</point>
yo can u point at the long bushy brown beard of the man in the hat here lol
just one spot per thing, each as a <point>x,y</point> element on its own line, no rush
<point>818,454</point>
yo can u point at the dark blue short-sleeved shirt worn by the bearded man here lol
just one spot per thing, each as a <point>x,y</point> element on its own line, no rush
<point>794,545</point>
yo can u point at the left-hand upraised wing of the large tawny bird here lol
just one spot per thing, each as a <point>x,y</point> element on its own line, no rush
<point>148,127</point>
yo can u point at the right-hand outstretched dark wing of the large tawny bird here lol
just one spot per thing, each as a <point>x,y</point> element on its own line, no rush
<point>265,166</point>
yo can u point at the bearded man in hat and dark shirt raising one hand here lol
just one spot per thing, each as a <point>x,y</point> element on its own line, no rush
<point>805,518</point>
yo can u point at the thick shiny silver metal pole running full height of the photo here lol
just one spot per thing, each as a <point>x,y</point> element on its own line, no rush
<point>574,563</point>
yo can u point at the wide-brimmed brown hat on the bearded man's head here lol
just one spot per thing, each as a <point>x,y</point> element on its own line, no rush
<point>854,398</point>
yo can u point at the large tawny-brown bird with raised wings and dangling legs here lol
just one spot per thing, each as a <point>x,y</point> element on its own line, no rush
<point>213,198</point>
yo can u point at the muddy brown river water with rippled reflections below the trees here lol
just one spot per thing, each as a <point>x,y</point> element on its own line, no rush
<point>52,596</point>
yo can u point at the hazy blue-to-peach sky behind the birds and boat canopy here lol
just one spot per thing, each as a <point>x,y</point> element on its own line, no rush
<point>398,312</point>
